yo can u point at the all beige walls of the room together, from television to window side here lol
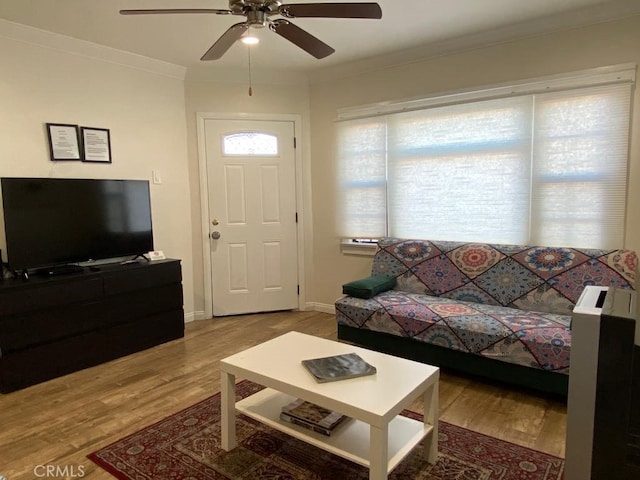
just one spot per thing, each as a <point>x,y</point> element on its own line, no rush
<point>152,117</point>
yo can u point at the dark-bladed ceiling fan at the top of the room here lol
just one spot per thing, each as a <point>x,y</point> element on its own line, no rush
<point>258,14</point>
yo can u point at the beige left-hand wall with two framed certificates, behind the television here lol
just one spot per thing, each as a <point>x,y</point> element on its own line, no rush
<point>144,112</point>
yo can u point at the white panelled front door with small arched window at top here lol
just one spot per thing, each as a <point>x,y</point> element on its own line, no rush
<point>252,209</point>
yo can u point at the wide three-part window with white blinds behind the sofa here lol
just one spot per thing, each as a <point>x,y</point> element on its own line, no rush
<point>536,168</point>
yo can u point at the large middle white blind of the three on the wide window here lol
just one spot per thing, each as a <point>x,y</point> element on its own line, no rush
<point>461,172</point>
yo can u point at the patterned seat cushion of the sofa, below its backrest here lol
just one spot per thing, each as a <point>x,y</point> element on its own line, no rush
<point>532,339</point>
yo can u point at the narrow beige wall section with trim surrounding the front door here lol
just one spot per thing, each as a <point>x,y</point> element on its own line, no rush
<point>221,98</point>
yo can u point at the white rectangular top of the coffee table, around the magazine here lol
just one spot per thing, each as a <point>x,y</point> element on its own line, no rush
<point>277,364</point>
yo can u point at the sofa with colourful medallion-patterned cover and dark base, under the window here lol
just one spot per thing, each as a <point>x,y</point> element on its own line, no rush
<point>500,311</point>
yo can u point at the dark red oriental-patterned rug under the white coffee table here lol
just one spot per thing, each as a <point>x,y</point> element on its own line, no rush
<point>187,446</point>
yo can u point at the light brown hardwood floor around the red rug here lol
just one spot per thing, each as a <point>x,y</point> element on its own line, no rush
<point>59,422</point>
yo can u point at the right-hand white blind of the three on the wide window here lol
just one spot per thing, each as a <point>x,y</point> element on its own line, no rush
<point>580,156</point>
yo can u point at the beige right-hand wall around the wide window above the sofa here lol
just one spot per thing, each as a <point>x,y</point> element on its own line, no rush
<point>578,49</point>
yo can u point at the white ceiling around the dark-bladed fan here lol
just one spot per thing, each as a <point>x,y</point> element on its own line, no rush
<point>407,27</point>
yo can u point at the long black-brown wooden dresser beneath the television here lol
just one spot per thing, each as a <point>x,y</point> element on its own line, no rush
<point>51,326</point>
